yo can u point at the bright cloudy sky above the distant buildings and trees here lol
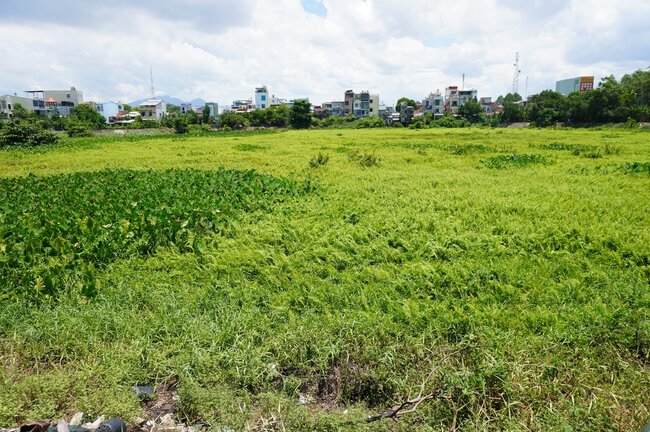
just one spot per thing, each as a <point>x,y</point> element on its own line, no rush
<point>221,49</point>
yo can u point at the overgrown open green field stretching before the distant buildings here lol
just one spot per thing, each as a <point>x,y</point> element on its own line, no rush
<point>505,273</point>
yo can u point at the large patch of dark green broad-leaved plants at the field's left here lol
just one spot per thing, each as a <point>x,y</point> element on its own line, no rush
<point>55,231</point>
